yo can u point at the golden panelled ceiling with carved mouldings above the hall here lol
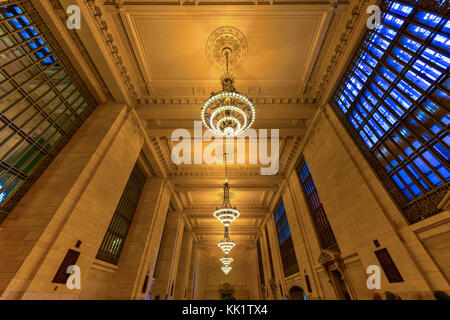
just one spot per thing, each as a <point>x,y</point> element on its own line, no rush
<point>163,46</point>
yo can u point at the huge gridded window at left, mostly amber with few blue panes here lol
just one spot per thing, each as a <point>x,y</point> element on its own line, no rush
<point>43,100</point>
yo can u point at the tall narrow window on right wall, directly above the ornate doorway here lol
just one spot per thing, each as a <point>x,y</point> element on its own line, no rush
<point>324,233</point>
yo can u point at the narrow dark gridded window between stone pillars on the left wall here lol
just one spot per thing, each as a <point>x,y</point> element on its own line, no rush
<point>116,234</point>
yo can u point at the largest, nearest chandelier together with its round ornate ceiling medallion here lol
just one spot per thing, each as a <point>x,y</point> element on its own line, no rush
<point>227,112</point>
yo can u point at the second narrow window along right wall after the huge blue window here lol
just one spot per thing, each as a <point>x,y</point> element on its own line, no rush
<point>287,251</point>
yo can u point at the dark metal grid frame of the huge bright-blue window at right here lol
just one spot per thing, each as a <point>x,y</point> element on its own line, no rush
<point>426,204</point>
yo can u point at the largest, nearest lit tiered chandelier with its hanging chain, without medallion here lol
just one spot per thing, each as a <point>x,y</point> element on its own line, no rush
<point>228,112</point>
